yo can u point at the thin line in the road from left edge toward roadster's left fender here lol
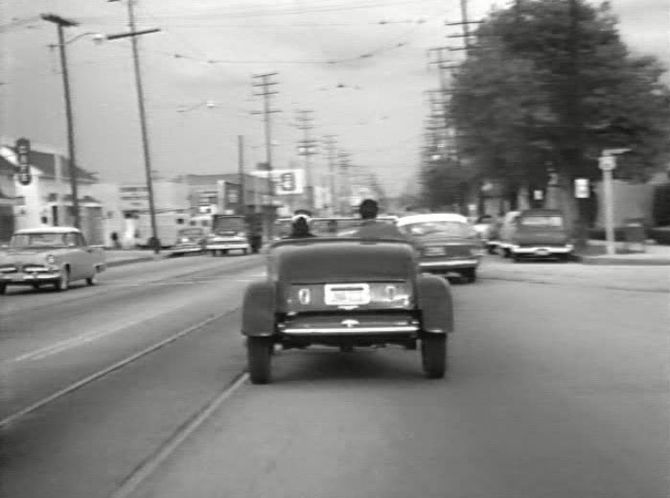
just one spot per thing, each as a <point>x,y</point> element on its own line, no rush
<point>101,373</point>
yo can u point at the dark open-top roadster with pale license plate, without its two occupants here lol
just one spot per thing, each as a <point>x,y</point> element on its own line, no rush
<point>345,293</point>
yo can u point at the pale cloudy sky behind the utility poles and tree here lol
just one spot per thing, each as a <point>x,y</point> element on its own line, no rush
<point>360,66</point>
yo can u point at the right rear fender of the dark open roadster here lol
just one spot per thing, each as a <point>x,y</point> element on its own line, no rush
<point>435,303</point>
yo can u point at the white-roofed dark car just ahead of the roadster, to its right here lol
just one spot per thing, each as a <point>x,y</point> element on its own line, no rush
<point>446,242</point>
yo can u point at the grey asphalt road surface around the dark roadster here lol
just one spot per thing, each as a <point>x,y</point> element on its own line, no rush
<point>558,387</point>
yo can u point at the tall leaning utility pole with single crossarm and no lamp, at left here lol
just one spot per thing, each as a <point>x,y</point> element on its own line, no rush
<point>133,34</point>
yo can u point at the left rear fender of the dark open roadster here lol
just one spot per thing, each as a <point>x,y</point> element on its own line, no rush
<point>258,309</point>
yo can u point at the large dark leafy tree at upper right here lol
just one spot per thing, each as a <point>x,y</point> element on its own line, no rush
<point>551,82</point>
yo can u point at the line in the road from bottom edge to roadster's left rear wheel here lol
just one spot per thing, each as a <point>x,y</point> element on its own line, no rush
<point>136,478</point>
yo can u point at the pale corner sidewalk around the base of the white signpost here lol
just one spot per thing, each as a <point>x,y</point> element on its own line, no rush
<point>596,254</point>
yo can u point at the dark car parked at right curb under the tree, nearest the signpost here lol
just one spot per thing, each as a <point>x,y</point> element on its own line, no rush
<point>541,233</point>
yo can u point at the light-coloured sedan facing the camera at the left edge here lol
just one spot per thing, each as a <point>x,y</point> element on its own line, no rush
<point>51,255</point>
